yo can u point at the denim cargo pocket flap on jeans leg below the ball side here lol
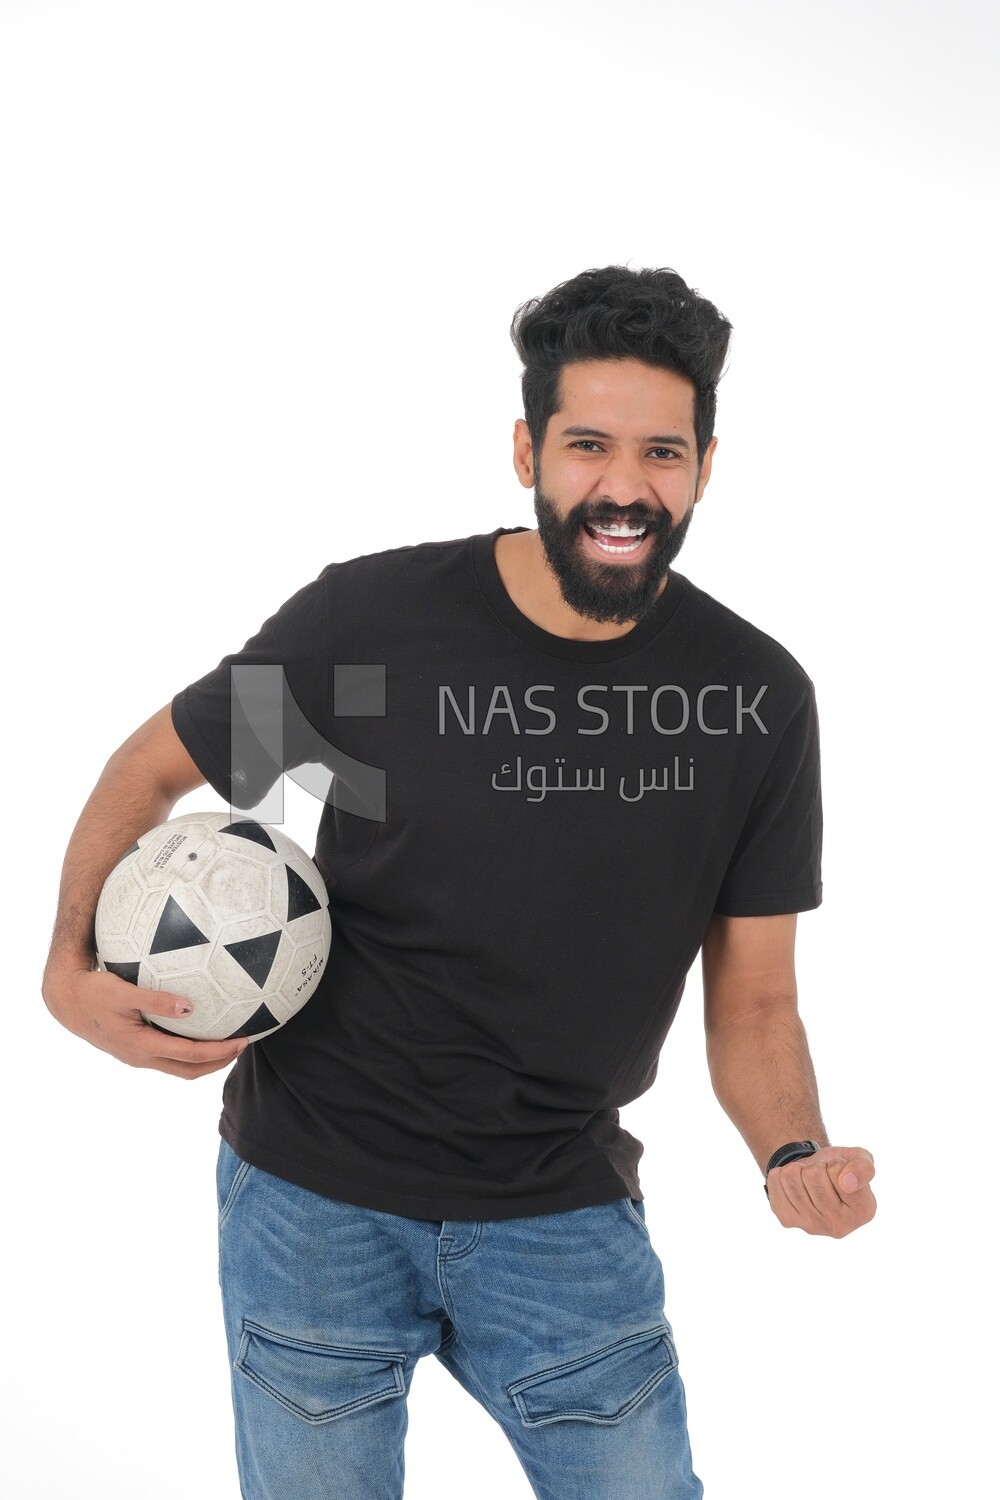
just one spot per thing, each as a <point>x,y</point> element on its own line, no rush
<point>319,1382</point>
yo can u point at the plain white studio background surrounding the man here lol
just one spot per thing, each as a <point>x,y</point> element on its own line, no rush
<point>257,269</point>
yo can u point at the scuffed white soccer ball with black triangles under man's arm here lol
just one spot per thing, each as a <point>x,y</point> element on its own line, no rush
<point>233,916</point>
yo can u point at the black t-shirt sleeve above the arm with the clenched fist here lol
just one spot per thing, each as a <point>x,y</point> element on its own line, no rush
<point>776,865</point>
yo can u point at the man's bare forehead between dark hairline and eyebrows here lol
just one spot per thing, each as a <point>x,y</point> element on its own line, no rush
<point>627,397</point>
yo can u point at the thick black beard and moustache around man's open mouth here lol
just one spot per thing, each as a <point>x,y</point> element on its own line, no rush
<point>612,593</point>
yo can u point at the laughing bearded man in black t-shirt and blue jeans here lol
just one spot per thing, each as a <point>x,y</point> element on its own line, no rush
<point>593,770</point>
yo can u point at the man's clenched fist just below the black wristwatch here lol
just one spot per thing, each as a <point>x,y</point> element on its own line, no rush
<point>827,1193</point>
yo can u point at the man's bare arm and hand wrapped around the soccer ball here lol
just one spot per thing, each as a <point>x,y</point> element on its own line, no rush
<point>136,793</point>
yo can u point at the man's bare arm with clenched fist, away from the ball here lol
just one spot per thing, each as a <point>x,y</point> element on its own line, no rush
<point>764,1078</point>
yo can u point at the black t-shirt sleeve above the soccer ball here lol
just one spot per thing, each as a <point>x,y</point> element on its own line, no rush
<point>244,740</point>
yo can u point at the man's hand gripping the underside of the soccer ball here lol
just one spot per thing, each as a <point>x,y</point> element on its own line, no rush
<point>101,1009</point>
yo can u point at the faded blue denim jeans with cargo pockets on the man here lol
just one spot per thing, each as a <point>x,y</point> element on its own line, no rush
<point>554,1324</point>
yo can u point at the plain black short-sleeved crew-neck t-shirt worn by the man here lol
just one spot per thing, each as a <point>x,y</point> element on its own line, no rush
<point>554,824</point>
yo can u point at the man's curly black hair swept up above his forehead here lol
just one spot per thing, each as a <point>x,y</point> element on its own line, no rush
<point>617,314</point>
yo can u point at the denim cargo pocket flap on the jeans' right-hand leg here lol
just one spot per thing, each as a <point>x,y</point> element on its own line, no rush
<point>603,1387</point>
